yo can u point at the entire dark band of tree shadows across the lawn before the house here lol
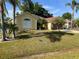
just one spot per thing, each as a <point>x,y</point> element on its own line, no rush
<point>53,36</point>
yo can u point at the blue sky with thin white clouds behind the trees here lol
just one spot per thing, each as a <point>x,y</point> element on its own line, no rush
<point>55,7</point>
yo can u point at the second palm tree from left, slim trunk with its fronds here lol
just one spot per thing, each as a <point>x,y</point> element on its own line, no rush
<point>14,3</point>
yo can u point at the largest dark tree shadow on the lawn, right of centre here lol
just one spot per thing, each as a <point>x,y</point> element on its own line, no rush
<point>56,36</point>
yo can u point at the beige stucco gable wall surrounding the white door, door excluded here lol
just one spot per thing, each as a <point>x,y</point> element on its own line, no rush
<point>20,19</point>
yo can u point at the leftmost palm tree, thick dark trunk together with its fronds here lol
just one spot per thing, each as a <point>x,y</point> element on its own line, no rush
<point>3,12</point>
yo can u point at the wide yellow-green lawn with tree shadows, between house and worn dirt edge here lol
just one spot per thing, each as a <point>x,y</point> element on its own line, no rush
<point>41,42</point>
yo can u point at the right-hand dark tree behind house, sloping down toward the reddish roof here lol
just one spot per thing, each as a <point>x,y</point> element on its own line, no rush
<point>40,11</point>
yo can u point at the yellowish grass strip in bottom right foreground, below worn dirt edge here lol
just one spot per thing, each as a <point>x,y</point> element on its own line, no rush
<point>74,54</point>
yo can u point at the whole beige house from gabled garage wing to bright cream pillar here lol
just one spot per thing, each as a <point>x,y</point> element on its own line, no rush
<point>26,21</point>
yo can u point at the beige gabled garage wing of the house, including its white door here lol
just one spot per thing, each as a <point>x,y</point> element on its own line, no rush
<point>27,21</point>
